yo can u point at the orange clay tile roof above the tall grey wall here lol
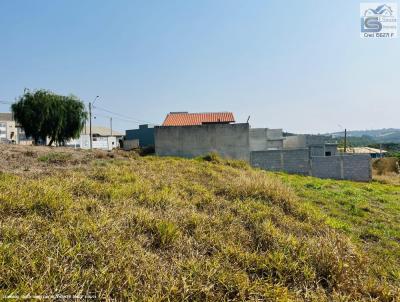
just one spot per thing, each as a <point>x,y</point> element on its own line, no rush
<point>192,119</point>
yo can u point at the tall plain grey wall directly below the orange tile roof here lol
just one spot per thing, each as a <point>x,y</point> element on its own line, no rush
<point>228,140</point>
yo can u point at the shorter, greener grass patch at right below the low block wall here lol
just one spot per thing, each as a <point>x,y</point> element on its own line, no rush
<point>368,213</point>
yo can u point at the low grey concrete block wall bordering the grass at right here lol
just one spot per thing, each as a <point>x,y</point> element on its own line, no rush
<point>299,161</point>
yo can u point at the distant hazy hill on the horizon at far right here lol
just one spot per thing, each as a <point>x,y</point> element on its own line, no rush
<point>390,135</point>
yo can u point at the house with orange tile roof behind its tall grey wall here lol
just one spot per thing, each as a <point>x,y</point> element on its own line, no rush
<point>187,134</point>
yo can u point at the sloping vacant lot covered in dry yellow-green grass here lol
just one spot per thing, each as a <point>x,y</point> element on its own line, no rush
<point>128,227</point>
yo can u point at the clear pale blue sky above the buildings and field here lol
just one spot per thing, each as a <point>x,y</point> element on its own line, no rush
<point>296,65</point>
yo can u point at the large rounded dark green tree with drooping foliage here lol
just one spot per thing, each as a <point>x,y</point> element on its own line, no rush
<point>43,114</point>
